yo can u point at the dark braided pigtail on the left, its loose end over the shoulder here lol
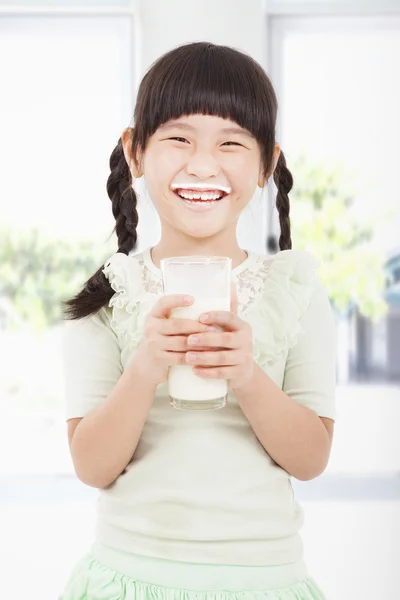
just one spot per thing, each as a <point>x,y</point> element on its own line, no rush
<point>97,291</point>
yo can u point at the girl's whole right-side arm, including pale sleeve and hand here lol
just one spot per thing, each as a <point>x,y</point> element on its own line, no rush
<point>295,423</point>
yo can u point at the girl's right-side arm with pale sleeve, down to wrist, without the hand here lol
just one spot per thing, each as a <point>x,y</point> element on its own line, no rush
<point>295,424</point>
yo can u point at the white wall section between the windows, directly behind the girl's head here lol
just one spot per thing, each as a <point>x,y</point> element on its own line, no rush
<point>164,25</point>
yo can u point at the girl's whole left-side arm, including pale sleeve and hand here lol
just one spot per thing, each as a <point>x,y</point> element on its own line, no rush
<point>106,406</point>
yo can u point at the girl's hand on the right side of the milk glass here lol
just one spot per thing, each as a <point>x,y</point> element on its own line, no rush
<point>231,356</point>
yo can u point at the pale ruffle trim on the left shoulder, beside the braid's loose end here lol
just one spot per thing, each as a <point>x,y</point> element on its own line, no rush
<point>130,303</point>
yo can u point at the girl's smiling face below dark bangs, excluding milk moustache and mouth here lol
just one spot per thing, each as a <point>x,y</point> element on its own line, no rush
<point>200,149</point>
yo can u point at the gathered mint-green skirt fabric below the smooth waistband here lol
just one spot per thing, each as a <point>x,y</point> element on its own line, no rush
<point>91,580</point>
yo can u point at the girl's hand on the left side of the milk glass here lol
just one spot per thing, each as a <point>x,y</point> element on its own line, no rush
<point>164,341</point>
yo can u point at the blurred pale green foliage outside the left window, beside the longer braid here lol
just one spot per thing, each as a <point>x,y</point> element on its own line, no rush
<point>37,273</point>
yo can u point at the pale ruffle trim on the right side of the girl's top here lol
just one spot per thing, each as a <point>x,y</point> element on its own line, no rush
<point>276,313</point>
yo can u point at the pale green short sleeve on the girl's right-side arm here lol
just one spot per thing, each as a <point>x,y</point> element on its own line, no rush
<point>310,370</point>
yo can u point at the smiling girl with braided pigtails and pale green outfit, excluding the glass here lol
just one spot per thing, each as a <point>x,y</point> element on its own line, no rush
<point>199,505</point>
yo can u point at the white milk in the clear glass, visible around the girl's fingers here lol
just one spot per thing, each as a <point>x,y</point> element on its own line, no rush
<point>183,384</point>
